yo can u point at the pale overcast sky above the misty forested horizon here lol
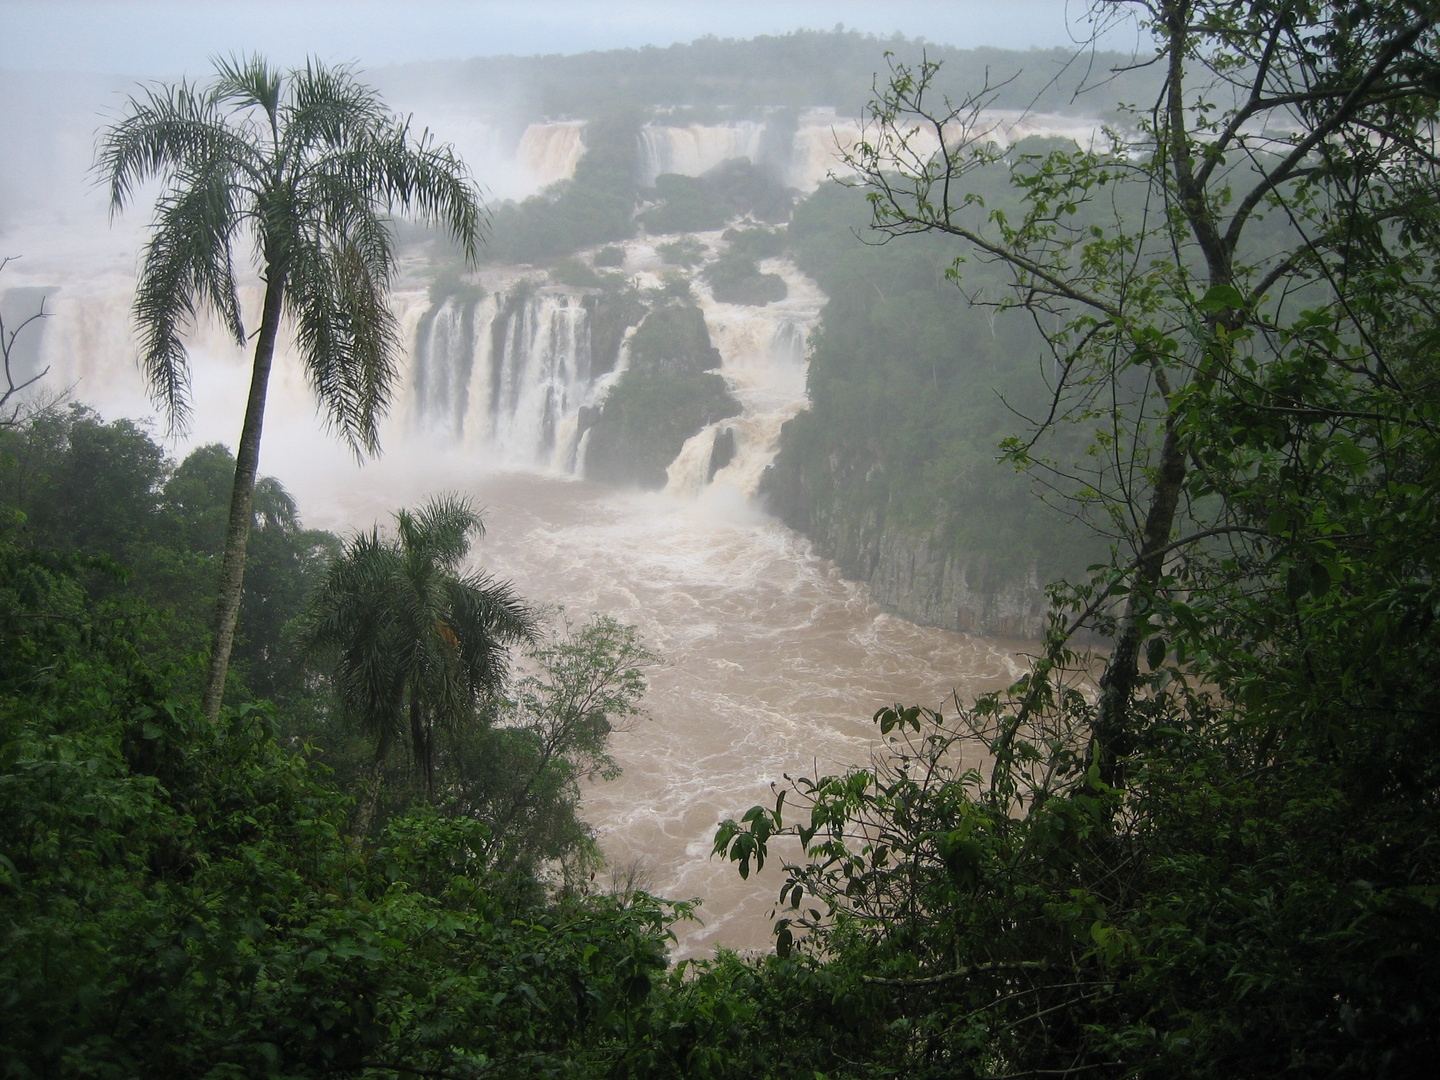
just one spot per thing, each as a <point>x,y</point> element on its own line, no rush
<point>172,38</point>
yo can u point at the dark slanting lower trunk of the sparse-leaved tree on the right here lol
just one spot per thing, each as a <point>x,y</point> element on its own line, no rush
<point>1112,737</point>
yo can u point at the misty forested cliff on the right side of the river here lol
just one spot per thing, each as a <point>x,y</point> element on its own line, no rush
<point>911,392</point>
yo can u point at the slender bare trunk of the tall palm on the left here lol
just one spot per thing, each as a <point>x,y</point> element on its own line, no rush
<point>243,500</point>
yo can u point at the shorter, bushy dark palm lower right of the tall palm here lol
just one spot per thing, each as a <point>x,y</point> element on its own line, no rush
<point>415,644</point>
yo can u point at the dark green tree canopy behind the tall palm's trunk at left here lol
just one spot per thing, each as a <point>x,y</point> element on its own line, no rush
<point>84,487</point>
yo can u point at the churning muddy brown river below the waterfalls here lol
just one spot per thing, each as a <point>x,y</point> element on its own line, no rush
<point>773,663</point>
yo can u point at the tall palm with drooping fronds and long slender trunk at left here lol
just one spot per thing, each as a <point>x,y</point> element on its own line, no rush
<point>306,166</point>
